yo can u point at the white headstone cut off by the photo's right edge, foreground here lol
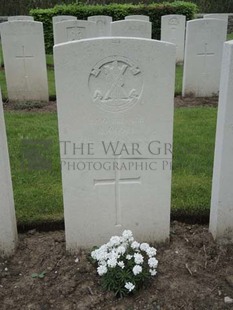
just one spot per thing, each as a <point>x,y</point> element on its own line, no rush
<point>221,214</point>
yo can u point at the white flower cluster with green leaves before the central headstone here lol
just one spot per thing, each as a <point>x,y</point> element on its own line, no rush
<point>124,264</point>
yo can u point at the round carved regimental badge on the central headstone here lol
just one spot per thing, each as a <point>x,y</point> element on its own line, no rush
<point>115,84</point>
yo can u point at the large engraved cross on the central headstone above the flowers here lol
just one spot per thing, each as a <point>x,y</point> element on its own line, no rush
<point>117,182</point>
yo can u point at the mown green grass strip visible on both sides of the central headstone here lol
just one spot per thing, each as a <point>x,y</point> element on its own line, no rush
<point>38,194</point>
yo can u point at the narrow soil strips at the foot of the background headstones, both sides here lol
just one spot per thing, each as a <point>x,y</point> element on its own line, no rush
<point>51,106</point>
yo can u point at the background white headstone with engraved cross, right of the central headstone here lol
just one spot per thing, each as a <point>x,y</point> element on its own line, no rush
<point>203,55</point>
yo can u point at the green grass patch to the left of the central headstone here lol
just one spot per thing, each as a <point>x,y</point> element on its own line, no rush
<point>38,194</point>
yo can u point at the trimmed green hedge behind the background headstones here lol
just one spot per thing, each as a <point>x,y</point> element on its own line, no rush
<point>117,11</point>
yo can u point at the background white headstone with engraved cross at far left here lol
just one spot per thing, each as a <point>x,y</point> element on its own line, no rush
<point>24,60</point>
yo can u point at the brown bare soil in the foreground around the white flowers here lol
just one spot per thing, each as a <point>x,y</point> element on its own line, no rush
<point>193,273</point>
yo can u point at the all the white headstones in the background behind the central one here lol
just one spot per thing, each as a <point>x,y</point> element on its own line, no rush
<point>24,54</point>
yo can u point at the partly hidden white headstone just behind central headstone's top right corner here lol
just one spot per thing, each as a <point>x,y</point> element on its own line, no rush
<point>173,30</point>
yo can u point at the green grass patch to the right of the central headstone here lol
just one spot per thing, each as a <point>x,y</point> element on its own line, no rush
<point>194,137</point>
